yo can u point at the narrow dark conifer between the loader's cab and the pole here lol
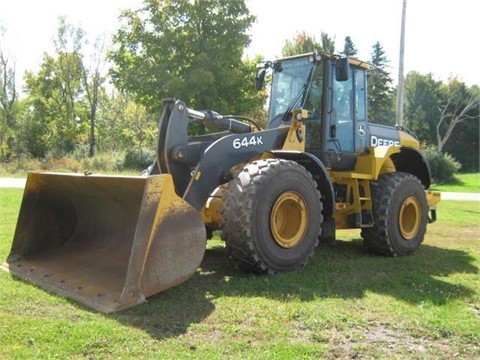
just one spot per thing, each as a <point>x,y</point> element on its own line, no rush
<point>380,97</point>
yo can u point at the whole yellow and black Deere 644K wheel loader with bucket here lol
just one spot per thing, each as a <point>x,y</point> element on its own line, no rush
<point>110,242</point>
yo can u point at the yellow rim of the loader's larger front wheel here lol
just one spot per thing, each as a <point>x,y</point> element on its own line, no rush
<point>289,219</point>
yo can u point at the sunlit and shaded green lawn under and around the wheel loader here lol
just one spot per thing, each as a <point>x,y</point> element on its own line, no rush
<point>344,304</point>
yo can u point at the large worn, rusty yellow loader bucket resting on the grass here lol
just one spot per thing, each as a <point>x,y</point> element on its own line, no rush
<point>108,242</point>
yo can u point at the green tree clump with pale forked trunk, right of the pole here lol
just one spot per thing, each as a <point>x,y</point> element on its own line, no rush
<point>444,116</point>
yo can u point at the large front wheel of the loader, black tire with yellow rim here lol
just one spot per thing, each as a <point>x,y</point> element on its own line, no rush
<point>272,216</point>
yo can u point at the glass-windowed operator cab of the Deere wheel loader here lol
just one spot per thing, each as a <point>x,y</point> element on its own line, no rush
<point>333,91</point>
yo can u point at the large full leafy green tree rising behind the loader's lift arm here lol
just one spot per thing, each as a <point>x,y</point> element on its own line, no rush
<point>184,49</point>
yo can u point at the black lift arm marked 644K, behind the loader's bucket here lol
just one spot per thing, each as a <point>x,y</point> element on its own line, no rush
<point>176,152</point>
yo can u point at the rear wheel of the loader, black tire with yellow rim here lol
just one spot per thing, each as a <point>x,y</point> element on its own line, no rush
<point>400,215</point>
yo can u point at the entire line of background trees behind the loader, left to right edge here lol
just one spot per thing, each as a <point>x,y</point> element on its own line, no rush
<point>90,97</point>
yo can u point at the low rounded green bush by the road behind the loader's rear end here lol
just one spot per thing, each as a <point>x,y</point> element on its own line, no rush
<point>443,167</point>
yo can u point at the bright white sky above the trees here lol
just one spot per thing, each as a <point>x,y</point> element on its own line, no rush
<point>441,36</point>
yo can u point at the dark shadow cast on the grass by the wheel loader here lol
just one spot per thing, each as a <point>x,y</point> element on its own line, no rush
<point>346,271</point>
